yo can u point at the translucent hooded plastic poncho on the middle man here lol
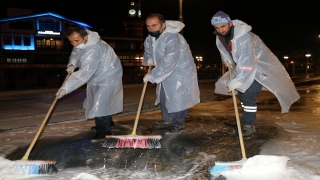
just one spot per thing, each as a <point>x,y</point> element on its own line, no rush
<point>174,68</point>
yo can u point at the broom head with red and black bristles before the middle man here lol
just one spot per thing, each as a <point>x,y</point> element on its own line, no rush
<point>132,141</point>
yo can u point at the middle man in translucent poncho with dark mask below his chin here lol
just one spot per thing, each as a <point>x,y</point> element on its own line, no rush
<point>175,72</point>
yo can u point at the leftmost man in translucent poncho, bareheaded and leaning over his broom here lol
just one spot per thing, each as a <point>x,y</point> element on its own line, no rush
<point>101,69</point>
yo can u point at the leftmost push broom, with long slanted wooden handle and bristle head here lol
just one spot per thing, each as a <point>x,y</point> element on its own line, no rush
<point>26,166</point>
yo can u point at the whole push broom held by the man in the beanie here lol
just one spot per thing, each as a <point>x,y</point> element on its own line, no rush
<point>222,166</point>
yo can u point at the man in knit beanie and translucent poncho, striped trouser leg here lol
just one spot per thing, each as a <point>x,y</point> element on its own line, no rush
<point>254,67</point>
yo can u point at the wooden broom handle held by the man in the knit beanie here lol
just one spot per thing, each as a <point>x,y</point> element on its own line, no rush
<point>237,116</point>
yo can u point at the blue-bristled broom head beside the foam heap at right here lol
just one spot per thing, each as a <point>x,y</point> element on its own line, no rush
<point>219,167</point>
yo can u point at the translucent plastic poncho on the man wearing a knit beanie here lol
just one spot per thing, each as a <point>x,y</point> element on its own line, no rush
<point>253,60</point>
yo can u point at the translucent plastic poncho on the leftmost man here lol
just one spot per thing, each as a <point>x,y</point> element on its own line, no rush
<point>101,69</point>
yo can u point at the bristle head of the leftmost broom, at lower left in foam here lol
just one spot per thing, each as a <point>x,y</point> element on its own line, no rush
<point>35,167</point>
